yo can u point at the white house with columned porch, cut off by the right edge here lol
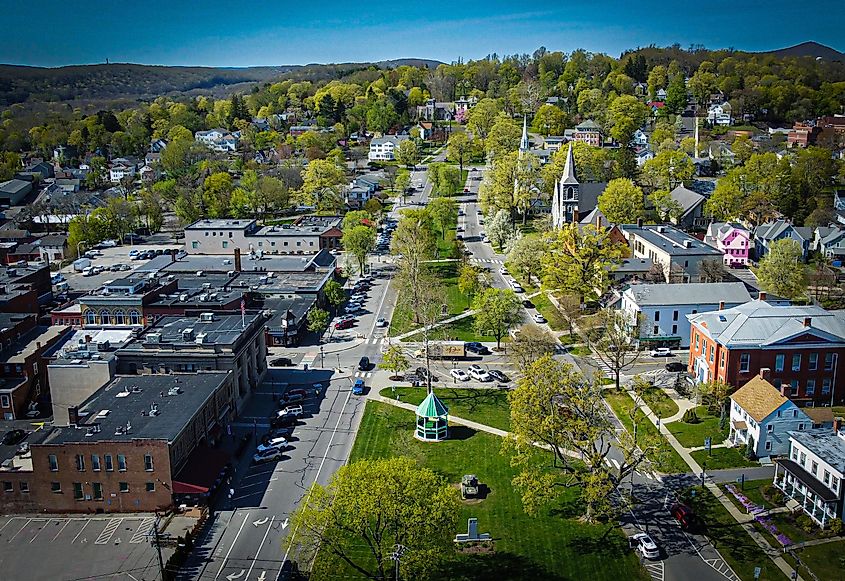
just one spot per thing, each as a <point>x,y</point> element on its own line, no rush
<point>812,475</point>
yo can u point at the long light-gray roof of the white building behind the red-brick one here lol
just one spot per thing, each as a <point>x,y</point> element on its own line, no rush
<point>689,294</point>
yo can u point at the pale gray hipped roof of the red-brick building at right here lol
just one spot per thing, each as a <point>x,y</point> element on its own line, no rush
<point>760,323</point>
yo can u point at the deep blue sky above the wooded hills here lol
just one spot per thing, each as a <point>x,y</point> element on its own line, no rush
<point>277,32</point>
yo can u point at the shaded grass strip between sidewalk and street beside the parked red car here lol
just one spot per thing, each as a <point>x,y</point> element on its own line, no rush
<point>738,549</point>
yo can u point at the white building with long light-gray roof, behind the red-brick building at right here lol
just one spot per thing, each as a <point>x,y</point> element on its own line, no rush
<point>661,309</point>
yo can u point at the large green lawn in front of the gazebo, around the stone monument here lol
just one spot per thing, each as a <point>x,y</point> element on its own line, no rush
<point>553,546</point>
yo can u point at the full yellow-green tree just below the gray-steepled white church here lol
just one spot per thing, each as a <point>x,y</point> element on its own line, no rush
<point>578,260</point>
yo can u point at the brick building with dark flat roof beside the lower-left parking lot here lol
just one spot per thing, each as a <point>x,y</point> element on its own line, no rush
<point>125,448</point>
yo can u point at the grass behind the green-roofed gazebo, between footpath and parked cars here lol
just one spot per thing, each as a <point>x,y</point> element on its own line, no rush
<point>485,406</point>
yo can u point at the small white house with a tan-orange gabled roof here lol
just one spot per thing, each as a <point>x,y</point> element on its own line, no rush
<point>762,417</point>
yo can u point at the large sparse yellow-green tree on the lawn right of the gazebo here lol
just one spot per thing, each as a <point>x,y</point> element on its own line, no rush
<point>555,406</point>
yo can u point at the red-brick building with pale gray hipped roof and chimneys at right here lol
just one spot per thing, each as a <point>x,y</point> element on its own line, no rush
<point>801,346</point>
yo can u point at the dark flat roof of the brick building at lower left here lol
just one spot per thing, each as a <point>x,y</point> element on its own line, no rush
<point>121,410</point>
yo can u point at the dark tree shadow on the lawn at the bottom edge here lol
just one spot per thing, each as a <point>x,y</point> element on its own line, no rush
<point>497,566</point>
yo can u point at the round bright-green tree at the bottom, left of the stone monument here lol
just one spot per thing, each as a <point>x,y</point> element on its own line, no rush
<point>369,507</point>
